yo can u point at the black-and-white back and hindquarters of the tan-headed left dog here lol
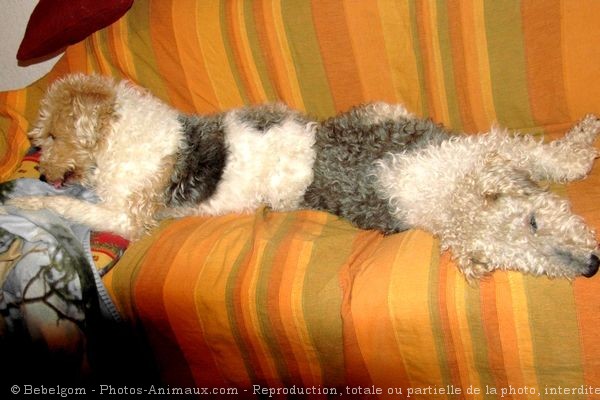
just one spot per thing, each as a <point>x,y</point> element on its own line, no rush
<point>240,159</point>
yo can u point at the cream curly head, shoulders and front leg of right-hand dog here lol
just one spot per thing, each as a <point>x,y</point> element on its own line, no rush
<point>477,193</point>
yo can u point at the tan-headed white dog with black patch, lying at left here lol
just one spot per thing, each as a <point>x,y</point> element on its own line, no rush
<point>146,161</point>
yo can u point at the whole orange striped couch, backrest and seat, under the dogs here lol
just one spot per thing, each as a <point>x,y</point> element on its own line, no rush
<point>300,300</point>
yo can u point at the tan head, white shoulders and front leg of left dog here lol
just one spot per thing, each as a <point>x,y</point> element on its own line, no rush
<point>92,131</point>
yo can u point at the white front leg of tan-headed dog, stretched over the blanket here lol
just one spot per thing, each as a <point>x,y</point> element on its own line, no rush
<point>98,217</point>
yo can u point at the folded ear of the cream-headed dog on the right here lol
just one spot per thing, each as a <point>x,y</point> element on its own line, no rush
<point>499,177</point>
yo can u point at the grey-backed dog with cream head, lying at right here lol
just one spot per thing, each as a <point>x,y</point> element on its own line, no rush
<point>382,168</point>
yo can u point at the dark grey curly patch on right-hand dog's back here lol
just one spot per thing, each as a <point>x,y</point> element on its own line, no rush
<point>347,146</point>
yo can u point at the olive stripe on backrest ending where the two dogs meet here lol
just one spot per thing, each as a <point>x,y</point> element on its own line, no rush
<point>306,54</point>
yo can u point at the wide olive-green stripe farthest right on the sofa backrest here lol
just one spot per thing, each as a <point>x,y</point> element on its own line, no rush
<point>507,63</point>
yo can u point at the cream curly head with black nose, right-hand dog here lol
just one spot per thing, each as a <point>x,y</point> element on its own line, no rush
<point>514,223</point>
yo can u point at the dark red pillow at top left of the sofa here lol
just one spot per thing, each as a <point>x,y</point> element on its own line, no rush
<point>55,24</point>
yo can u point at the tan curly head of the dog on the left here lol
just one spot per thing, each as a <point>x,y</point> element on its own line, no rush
<point>75,115</point>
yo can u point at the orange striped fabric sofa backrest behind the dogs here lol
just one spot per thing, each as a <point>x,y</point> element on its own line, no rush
<point>467,64</point>
